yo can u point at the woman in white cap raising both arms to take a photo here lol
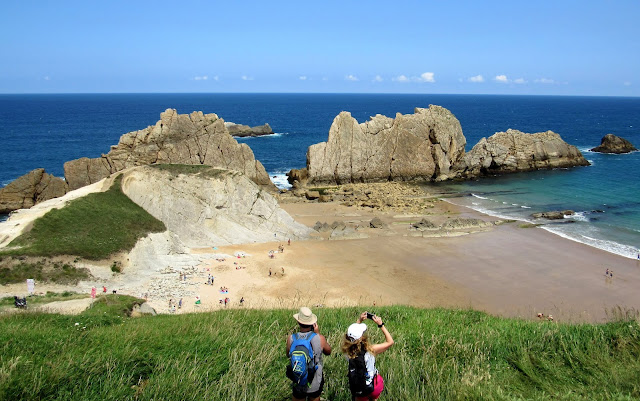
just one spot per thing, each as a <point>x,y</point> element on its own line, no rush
<point>356,342</point>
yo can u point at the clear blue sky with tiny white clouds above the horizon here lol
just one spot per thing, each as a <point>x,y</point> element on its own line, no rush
<point>508,47</point>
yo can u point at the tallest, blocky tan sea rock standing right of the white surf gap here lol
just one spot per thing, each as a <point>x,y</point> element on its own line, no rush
<point>420,146</point>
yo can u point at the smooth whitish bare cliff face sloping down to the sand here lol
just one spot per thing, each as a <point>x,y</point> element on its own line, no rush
<point>212,207</point>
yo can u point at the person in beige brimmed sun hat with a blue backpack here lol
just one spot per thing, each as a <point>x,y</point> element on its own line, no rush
<point>308,323</point>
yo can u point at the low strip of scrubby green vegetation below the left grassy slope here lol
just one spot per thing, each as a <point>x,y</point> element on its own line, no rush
<point>41,271</point>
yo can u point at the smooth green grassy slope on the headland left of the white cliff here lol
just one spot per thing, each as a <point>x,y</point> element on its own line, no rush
<point>93,227</point>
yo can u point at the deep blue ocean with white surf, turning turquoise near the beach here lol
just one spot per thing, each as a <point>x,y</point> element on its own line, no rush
<point>47,130</point>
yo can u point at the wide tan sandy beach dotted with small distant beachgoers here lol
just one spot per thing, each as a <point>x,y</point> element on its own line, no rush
<point>503,269</point>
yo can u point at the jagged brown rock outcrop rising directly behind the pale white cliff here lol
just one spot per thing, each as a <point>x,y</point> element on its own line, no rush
<point>195,138</point>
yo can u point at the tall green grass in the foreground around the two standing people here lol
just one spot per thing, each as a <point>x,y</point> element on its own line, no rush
<point>239,355</point>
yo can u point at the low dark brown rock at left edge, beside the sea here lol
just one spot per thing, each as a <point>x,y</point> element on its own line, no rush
<point>33,187</point>
